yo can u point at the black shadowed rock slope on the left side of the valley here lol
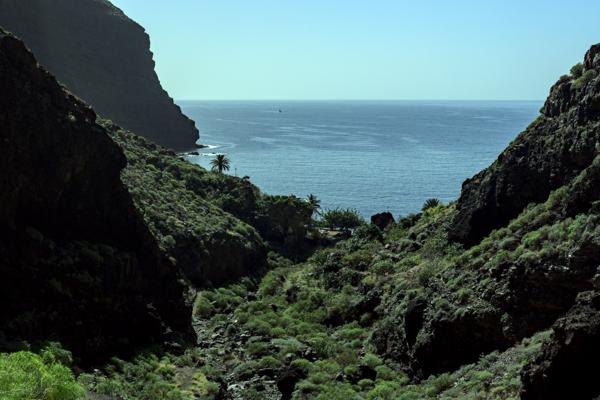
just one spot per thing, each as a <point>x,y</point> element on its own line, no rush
<point>77,262</point>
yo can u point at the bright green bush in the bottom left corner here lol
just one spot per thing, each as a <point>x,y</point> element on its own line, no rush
<point>28,376</point>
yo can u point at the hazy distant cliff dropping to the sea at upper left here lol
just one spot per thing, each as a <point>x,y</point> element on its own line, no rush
<point>103,57</point>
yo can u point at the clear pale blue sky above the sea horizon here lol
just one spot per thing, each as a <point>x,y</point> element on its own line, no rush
<point>369,49</point>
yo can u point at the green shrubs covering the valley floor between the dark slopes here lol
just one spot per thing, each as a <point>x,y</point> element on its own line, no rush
<point>312,324</point>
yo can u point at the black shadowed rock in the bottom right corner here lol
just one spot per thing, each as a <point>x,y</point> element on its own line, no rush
<point>565,367</point>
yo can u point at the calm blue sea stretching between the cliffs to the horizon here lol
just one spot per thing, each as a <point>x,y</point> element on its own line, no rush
<point>370,155</point>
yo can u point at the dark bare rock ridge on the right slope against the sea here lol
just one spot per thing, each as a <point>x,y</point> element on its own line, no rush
<point>553,150</point>
